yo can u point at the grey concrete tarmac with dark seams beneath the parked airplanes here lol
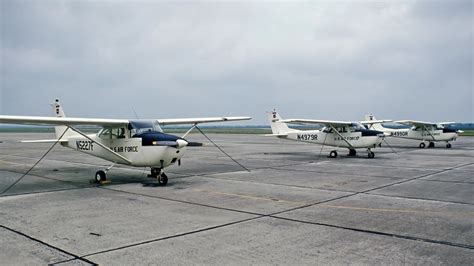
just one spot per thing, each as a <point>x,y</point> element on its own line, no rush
<point>293,206</point>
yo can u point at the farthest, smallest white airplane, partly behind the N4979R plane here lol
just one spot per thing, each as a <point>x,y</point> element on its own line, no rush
<point>424,131</point>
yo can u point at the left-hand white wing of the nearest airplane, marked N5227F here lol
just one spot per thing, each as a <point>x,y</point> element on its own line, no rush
<point>61,121</point>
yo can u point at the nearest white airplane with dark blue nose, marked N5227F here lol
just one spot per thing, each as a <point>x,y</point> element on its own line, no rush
<point>139,143</point>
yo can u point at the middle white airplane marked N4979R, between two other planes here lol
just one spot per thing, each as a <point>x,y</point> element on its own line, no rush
<point>351,135</point>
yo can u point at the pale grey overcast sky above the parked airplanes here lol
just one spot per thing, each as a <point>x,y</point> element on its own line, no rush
<point>319,59</point>
